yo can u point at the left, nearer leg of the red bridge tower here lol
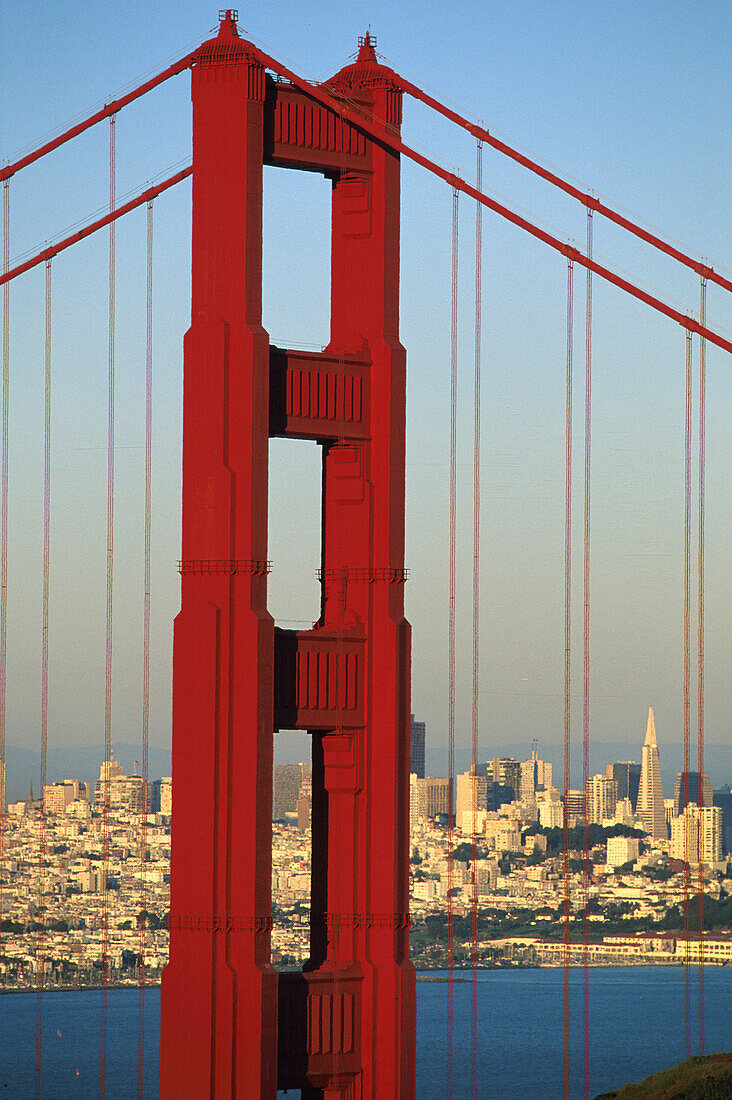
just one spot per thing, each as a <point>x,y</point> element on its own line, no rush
<point>220,1011</point>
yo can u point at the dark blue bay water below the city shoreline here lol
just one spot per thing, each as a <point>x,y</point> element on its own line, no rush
<point>637,1028</point>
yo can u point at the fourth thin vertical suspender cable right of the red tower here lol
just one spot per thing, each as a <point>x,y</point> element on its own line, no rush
<point>586,667</point>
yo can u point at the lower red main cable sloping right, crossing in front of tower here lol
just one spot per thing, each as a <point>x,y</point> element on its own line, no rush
<point>380,135</point>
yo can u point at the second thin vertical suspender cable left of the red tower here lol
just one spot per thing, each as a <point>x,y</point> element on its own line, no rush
<point>108,652</point>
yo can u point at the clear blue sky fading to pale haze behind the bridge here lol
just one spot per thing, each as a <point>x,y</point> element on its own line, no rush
<point>632,100</point>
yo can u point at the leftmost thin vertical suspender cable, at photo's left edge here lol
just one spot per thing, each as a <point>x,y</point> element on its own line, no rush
<point>4,504</point>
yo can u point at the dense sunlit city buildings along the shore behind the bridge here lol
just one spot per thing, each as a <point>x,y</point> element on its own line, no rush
<point>648,855</point>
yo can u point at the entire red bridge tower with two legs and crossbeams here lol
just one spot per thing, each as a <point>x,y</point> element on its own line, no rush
<point>345,1028</point>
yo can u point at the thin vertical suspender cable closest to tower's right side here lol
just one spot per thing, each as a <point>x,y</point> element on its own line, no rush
<point>451,721</point>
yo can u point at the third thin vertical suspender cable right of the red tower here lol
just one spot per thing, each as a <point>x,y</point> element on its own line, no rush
<point>569,547</point>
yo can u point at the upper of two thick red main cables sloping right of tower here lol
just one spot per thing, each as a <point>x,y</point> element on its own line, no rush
<point>587,201</point>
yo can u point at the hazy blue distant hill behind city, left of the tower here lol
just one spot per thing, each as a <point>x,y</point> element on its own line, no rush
<point>75,763</point>
